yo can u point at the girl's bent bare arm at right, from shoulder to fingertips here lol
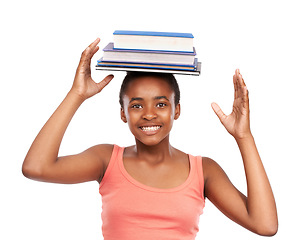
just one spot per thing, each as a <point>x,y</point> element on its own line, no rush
<point>256,212</point>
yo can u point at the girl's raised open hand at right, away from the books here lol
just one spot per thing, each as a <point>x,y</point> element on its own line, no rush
<point>237,123</point>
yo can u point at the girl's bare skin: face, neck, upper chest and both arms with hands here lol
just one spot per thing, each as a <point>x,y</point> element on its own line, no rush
<point>153,161</point>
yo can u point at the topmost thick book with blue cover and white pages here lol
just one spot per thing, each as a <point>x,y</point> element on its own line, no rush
<point>144,40</point>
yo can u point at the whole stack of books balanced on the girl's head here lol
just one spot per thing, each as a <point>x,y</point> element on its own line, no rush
<point>151,52</point>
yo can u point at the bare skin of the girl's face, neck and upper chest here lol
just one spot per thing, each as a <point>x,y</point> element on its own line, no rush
<point>153,161</point>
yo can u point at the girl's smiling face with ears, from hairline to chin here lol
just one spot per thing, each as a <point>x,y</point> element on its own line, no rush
<point>149,109</point>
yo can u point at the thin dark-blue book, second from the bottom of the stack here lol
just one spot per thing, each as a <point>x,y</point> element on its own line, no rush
<point>191,67</point>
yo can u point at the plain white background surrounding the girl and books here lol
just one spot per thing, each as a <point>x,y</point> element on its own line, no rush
<point>41,43</point>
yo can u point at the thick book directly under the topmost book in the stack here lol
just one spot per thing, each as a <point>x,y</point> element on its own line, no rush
<point>165,57</point>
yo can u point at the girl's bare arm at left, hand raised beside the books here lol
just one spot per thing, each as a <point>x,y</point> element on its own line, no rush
<point>42,162</point>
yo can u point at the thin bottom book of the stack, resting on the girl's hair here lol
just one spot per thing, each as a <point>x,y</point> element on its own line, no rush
<point>173,71</point>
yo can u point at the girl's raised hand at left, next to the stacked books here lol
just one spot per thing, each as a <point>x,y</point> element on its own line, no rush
<point>83,84</point>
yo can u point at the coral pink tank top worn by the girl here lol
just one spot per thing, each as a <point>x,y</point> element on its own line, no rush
<point>134,211</point>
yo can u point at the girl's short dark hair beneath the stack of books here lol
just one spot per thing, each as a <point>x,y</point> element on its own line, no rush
<point>168,77</point>
